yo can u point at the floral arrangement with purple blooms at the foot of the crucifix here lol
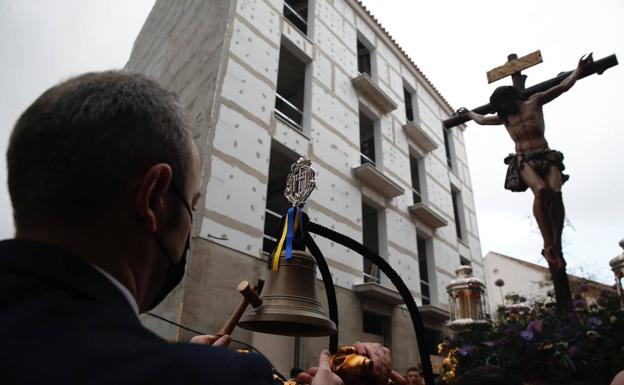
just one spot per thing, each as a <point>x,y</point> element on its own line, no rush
<point>542,344</point>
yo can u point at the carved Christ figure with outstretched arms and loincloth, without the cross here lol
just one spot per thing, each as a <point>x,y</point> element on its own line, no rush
<point>534,165</point>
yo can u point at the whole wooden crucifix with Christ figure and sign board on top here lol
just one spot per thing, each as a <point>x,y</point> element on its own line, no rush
<point>534,165</point>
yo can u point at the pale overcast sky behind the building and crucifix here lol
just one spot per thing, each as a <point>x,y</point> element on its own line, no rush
<point>454,43</point>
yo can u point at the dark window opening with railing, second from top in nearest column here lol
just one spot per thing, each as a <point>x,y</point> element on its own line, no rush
<point>290,88</point>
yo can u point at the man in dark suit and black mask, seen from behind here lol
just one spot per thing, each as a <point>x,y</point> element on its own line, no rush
<point>103,178</point>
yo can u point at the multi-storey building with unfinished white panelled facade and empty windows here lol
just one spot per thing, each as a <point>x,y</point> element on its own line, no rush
<point>264,82</point>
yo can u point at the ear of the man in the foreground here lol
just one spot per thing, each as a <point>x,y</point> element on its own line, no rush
<point>151,194</point>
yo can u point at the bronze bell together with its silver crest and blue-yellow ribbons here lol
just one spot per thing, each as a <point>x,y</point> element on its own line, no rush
<point>289,302</point>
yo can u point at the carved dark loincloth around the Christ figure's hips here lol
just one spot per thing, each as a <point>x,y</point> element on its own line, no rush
<point>539,160</point>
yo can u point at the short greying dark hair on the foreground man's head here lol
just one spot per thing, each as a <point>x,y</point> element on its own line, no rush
<point>74,151</point>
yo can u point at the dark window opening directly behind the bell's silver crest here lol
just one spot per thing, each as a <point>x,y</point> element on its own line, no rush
<point>276,203</point>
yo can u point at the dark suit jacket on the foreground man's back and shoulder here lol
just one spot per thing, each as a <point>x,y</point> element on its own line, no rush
<point>62,321</point>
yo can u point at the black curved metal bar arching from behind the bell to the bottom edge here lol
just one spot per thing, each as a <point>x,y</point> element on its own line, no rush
<point>419,328</point>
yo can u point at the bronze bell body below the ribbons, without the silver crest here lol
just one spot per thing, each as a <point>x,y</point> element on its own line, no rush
<point>290,306</point>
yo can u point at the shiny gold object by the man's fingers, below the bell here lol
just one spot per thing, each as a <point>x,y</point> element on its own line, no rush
<point>351,367</point>
